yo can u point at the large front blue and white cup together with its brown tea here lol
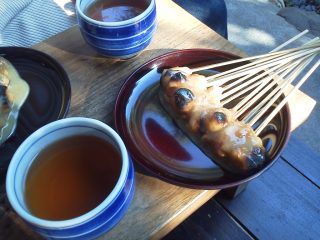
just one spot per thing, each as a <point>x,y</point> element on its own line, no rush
<point>71,178</point>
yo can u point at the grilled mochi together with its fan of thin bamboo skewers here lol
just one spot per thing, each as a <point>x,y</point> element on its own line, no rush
<point>225,112</point>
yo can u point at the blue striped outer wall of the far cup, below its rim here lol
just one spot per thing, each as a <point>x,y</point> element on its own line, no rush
<point>122,41</point>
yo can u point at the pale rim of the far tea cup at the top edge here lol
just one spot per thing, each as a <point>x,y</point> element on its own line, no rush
<point>115,24</point>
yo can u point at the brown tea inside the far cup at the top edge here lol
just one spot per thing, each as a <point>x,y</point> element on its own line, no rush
<point>115,10</point>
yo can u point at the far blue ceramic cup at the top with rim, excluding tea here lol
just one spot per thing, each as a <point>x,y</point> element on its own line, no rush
<point>117,39</point>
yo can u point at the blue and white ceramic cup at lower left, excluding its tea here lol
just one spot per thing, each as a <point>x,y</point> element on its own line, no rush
<point>94,222</point>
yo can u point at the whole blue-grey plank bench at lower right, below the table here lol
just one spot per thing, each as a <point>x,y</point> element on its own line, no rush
<point>282,203</point>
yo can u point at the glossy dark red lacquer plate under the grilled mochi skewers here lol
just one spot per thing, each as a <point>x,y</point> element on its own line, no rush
<point>155,142</point>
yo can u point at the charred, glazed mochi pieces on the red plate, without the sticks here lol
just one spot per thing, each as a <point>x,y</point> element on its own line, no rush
<point>197,110</point>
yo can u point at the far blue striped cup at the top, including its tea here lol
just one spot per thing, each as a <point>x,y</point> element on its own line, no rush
<point>117,37</point>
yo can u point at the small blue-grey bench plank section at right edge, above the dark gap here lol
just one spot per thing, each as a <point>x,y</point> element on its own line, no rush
<point>303,158</point>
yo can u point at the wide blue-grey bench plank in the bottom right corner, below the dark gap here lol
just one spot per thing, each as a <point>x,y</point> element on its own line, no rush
<point>280,204</point>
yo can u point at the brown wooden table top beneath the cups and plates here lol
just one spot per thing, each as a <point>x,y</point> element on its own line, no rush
<point>158,207</point>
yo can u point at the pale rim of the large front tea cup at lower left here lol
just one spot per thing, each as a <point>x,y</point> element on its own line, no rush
<point>53,224</point>
